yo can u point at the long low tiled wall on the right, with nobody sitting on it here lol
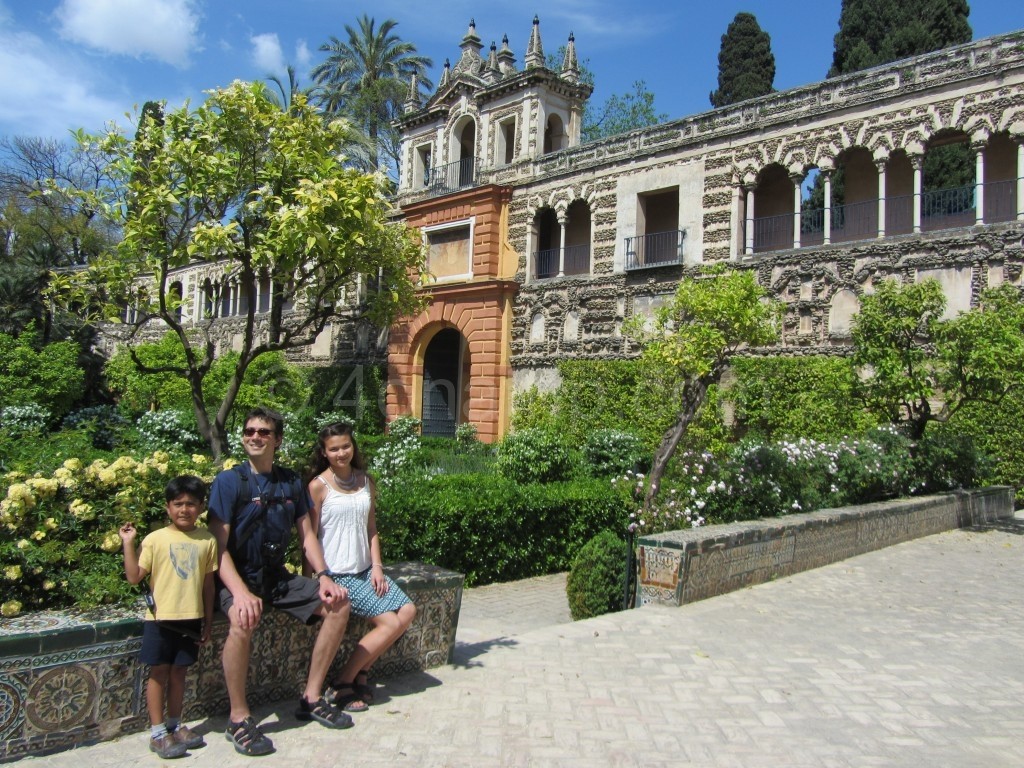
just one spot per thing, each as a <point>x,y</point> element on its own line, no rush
<point>680,567</point>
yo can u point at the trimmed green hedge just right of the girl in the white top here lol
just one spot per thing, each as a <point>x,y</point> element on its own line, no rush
<point>492,529</point>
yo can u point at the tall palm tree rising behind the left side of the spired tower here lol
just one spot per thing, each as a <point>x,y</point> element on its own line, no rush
<point>367,79</point>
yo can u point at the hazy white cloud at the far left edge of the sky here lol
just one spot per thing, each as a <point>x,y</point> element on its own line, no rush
<point>47,94</point>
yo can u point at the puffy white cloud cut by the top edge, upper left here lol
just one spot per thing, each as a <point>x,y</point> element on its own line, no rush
<point>165,30</point>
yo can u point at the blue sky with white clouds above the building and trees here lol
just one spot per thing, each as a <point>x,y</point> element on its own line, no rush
<point>83,64</point>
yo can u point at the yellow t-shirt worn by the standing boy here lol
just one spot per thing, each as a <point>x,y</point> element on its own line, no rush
<point>178,563</point>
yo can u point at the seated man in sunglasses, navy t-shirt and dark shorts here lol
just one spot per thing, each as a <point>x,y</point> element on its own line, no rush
<point>253,509</point>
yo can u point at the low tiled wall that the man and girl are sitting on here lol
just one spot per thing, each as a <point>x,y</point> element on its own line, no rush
<point>68,679</point>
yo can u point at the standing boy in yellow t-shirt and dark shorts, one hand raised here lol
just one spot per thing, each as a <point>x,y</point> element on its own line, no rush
<point>182,560</point>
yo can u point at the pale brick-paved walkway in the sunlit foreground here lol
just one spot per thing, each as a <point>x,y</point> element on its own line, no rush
<point>913,656</point>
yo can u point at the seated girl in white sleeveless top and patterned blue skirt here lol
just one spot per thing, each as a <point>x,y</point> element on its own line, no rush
<point>344,517</point>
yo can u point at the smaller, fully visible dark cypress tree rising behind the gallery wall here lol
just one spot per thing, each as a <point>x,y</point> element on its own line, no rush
<point>746,64</point>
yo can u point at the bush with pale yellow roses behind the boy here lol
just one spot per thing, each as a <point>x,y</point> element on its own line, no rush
<point>59,531</point>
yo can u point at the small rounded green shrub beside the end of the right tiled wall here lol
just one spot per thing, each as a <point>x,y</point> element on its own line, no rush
<point>596,579</point>
